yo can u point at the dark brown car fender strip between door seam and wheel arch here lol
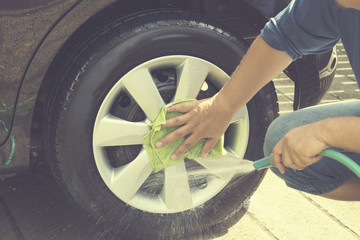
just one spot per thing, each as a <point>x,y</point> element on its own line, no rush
<point>16,146</point>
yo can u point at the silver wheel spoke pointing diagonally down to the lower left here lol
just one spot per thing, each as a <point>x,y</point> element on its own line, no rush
<point>127,180</point>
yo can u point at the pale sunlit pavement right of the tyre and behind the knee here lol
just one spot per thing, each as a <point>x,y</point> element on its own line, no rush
<point>278,212</point>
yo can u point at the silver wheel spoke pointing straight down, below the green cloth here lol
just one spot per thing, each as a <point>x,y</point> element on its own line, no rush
<point>176,191</point>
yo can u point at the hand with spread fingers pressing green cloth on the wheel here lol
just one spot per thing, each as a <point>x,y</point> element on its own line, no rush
<point>207,118</point>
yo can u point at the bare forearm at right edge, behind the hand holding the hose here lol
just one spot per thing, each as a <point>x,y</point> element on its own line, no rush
<point>342,132</point>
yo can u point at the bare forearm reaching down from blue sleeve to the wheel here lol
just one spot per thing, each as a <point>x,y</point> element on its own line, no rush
<point>260,65</point>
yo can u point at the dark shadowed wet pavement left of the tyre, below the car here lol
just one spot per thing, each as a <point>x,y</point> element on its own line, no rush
<point>32,207</point>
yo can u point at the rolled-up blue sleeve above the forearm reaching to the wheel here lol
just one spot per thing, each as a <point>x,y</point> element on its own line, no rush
<point>304,27</point>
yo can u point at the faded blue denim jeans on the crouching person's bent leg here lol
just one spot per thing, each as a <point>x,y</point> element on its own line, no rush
<point>327,174</point>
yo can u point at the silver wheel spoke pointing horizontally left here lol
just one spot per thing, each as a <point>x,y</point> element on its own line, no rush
<point>113,131</point>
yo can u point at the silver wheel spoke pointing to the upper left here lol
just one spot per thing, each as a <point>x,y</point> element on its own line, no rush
<point>142,88</point>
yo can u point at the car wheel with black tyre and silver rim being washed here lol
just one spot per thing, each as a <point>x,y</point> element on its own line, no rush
<point>112,87</point>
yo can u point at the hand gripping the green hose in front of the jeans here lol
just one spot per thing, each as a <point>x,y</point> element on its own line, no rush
<point>299,148</point>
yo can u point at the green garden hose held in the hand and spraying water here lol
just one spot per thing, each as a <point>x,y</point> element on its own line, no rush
<point>345,160</point>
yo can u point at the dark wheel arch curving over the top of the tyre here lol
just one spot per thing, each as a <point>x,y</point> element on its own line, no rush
<point>108,11</point>
